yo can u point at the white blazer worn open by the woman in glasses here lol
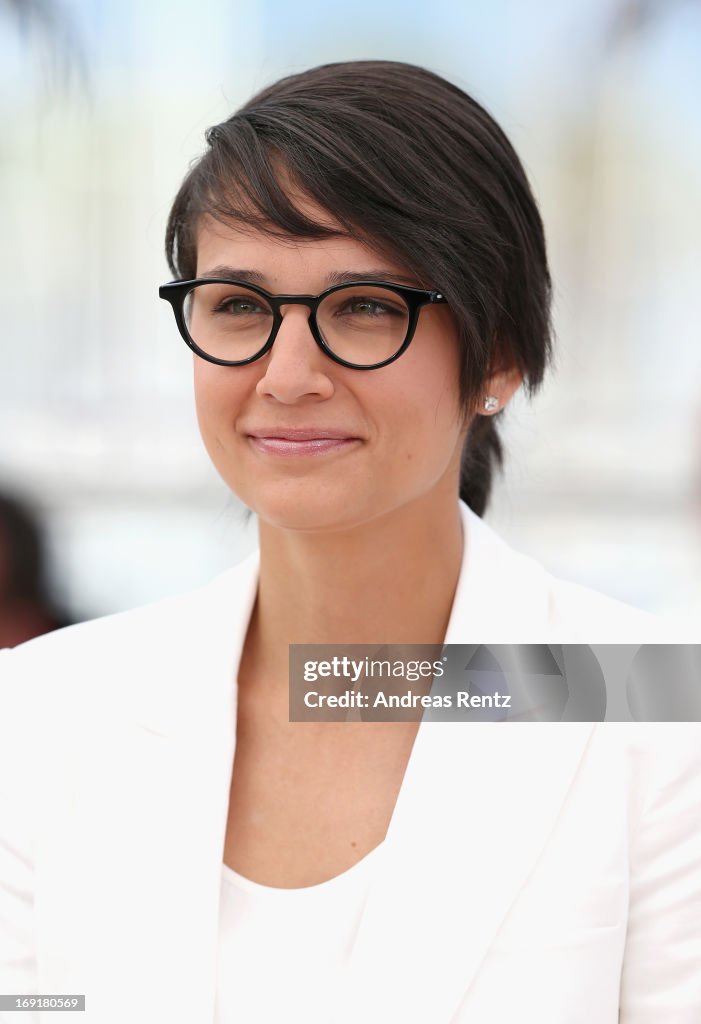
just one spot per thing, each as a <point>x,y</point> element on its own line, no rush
<point>534,873</point>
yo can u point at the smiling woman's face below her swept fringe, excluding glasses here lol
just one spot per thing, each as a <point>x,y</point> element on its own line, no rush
<point>401,428</point>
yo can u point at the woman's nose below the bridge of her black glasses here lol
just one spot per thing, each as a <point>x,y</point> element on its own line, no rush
<point>295,368</point>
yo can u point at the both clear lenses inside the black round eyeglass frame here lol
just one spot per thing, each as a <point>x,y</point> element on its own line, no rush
<point>360,325</point>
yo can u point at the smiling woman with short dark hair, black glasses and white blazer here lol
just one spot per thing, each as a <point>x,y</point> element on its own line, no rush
<point>363,278</point>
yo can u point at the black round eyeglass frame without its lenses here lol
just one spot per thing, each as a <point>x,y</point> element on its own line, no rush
<point>176,292</point>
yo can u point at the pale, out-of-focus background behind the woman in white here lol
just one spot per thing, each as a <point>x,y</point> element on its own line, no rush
<point>103,107</point>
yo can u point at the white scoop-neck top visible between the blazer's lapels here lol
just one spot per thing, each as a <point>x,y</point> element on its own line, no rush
<point>283,952</point>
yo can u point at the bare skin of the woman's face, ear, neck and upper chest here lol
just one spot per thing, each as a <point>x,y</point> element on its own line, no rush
<point>363,545</point>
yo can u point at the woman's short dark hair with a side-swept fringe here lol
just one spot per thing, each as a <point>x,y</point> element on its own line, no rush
<point>407,162</point>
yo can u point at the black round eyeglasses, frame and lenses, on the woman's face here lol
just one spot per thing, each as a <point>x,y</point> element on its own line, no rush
<point>364,325</point>
